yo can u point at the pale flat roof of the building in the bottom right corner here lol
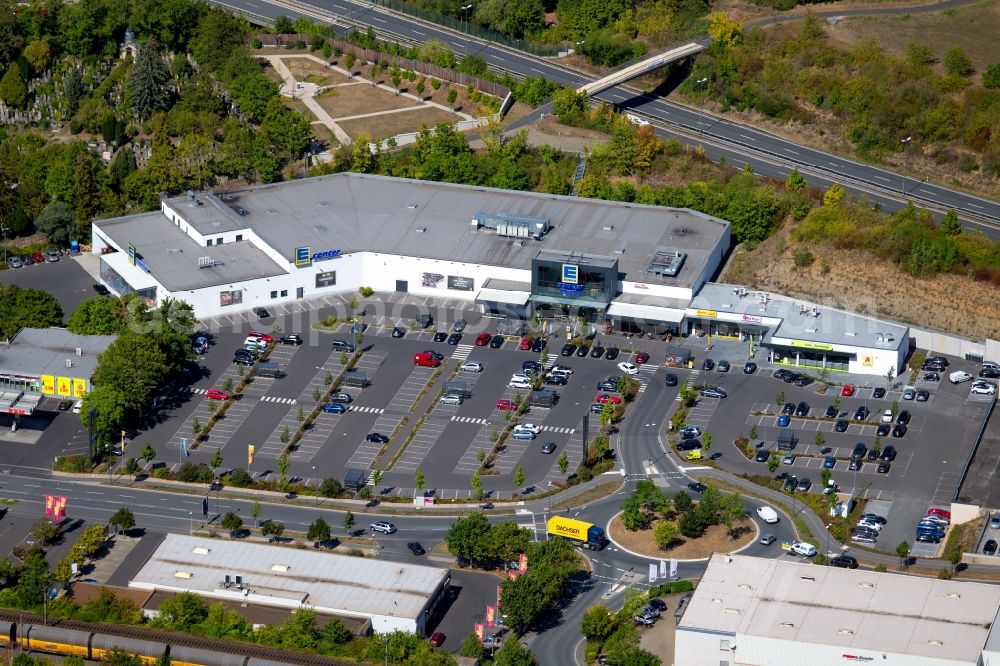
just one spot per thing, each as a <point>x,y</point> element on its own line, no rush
<point>850,608</point>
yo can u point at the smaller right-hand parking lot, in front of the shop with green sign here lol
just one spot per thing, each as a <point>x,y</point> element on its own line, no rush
<point>930,459</point>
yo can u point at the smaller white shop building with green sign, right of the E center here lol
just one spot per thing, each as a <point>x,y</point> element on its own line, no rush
<point>799,334</point>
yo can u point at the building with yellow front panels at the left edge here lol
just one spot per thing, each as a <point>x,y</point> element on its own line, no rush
<point>47,362</point>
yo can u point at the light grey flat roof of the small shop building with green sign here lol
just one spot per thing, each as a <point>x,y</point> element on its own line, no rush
<point>801,320</point>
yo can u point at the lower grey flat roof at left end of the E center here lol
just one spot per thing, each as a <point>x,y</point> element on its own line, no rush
<point>172,256</point>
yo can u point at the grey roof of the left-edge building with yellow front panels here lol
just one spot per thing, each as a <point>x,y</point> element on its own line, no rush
<point>43,351</point>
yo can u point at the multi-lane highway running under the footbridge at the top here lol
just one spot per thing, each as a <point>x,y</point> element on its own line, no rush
<point>770,155</point>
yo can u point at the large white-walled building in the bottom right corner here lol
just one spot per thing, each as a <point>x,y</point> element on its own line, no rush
<point>762,611</point>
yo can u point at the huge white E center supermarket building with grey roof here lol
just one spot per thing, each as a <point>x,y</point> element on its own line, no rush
<point>509,252</point>
